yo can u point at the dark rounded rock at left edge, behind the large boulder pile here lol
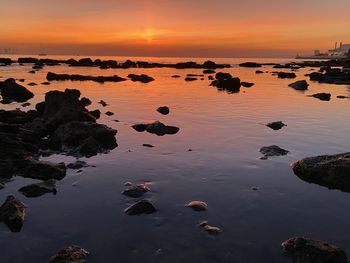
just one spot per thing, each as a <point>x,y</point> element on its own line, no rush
<point>11,91</point>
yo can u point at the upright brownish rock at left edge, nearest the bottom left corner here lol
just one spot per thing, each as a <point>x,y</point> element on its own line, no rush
<point>12,213</point>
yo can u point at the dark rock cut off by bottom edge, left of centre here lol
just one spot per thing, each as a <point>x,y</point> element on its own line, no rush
<point>71,254</point>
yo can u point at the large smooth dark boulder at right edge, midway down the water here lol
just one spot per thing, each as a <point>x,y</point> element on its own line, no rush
<point>331,171</point>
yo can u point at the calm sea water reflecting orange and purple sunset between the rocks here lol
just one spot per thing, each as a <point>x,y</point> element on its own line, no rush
<point>225,132</point>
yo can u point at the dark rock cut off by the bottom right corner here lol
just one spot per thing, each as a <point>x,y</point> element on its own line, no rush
<point>304,250</point>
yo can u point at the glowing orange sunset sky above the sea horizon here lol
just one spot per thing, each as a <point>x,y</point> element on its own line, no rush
<point>195,28</point>
